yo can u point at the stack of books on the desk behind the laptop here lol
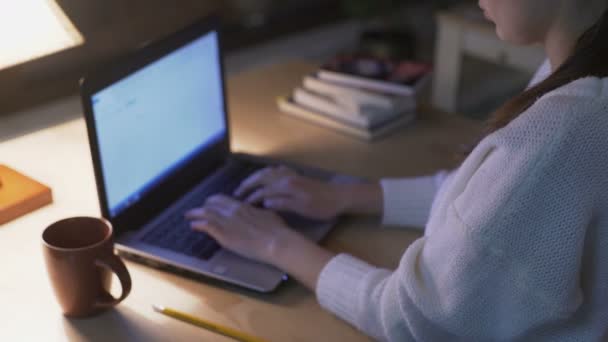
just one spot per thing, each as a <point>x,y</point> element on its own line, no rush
<point>360,96</point>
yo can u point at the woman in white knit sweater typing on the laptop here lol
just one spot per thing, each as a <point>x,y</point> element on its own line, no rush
<point>516,239</point>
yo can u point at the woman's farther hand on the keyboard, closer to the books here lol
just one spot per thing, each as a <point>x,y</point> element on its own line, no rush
<point>280,188</point>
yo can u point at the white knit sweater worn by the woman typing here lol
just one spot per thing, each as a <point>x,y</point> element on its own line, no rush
<point>516,239</point>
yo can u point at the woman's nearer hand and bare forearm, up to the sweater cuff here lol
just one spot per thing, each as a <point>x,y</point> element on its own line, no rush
<point>261,235</point>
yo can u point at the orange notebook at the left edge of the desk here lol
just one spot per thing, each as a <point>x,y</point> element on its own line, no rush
<point>20,194</point>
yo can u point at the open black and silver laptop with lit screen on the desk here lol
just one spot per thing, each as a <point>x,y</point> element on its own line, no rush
<point>160,143</point>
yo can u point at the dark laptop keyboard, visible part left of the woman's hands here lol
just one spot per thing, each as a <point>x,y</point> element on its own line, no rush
<point>174,232</point>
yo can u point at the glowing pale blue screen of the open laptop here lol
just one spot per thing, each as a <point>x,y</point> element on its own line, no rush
<point>158,118</point>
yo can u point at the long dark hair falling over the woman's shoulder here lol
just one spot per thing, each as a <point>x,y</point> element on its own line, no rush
<point>589,58</point>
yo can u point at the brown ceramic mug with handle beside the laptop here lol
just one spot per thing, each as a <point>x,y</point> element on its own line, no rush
<point>79,257</point>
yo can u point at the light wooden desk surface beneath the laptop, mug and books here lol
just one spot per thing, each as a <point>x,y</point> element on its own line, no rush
<point>59,156</point>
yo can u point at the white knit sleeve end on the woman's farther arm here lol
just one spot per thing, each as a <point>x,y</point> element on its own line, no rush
<point>408,201</point>
